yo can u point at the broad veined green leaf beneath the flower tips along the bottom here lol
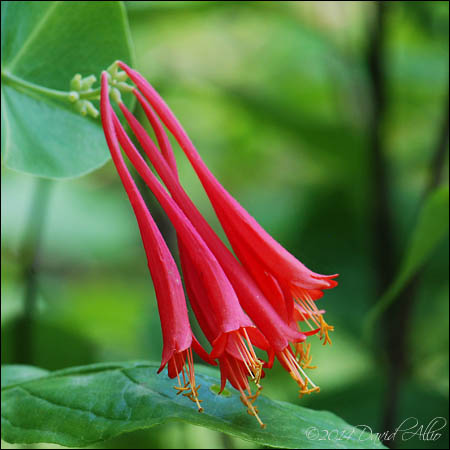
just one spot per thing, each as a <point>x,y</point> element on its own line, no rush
<point>84,405</point>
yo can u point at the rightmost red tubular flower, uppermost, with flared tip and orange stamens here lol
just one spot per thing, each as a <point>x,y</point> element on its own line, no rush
<point>277,271</point>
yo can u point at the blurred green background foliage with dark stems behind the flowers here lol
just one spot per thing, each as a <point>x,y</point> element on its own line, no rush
<point>329,122</point>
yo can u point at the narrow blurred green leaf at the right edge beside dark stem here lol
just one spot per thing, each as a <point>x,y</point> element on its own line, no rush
<point>431,228</point>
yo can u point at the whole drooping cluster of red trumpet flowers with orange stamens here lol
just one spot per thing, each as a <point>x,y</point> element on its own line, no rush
<point>260,297</point>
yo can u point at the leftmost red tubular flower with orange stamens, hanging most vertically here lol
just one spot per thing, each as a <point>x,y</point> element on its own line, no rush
<point>177,334</point>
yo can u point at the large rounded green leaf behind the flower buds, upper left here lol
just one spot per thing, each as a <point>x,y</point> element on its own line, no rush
<point>44,44</point>
